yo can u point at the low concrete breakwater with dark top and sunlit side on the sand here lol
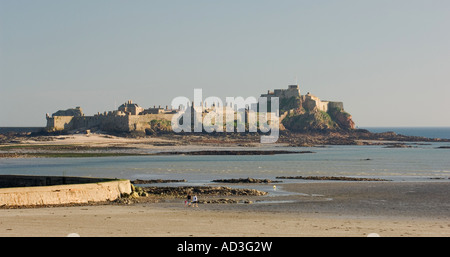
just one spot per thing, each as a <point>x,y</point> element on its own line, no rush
<point>19,191</point>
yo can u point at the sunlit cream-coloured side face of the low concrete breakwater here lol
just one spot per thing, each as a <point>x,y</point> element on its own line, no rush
<point>64,194</point>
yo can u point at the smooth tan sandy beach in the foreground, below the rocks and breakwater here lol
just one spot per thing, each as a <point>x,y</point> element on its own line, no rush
<point>318,209</point>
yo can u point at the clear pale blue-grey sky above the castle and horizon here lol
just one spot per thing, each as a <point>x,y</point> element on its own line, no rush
<point>388,61</point>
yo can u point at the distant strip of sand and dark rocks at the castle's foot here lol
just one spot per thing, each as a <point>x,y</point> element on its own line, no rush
<point>29,144</point>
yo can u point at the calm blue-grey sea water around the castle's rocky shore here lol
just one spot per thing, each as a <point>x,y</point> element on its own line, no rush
<point>422,161</point>
